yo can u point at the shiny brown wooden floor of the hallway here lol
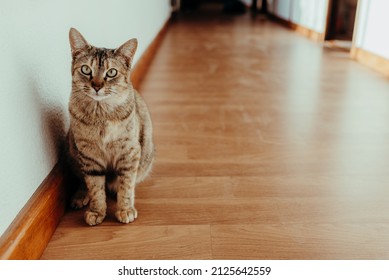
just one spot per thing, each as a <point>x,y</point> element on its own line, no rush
<point>269,146</point>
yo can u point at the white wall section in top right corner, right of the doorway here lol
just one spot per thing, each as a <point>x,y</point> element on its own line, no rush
<point>372,22</point>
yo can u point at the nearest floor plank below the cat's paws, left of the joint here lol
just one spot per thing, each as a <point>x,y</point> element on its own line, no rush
<point>152,242</point>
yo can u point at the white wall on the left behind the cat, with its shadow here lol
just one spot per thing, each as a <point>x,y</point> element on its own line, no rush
<point>35,79</point>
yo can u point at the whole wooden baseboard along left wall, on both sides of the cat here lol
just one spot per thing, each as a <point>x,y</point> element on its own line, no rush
<point>30,232</point>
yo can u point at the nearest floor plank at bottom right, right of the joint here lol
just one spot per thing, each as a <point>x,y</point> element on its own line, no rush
<point>299,241</point>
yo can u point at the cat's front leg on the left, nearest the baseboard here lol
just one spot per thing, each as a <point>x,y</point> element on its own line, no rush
<point>97,205</point>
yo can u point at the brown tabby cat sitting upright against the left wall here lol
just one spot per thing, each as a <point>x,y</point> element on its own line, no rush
<point>110,135</point>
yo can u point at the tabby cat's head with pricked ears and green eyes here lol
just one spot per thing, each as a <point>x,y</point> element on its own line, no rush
<point>100,73</point>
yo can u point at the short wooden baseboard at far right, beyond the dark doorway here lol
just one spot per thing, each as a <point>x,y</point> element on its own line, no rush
<point>371,60</point>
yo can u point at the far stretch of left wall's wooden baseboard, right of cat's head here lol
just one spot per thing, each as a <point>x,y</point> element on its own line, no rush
<point>140,68</point>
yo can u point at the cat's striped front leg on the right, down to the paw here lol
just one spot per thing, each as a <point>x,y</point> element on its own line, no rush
<point>127,170</point>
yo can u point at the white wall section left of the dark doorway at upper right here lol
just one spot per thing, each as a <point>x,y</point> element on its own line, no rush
<point>308,13</point>
